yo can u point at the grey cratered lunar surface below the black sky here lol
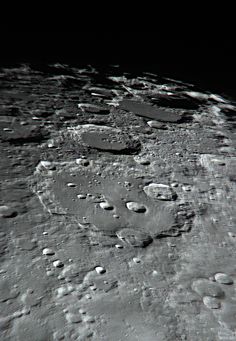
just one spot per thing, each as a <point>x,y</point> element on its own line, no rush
<point>117,212</point>
